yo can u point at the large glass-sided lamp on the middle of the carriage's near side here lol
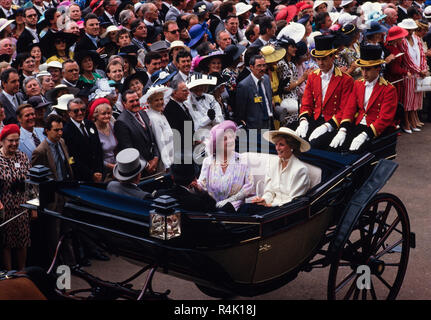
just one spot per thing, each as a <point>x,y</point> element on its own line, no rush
<point>165,220</point>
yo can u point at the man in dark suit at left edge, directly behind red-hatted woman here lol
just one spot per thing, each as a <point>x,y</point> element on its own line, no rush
<point>9,97</point>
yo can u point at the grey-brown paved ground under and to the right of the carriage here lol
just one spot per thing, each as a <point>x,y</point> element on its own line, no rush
<point>411,183</point>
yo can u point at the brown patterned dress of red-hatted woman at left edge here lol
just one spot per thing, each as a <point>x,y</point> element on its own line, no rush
<point>13,172</point>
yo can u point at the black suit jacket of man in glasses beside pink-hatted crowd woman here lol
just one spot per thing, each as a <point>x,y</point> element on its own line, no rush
<point>87,153</point>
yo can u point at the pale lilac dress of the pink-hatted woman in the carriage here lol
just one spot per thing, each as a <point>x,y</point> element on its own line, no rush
<point>236,182</point>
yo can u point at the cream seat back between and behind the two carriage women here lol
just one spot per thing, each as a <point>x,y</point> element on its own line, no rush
<point>258,163</point>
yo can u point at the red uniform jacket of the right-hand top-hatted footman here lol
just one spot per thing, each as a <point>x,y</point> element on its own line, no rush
<point>381,110</point>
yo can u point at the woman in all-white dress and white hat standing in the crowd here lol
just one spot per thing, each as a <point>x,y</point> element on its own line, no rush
<point>156,98</point>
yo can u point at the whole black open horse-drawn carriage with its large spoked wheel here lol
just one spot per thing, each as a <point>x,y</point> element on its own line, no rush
<point>342,222</point>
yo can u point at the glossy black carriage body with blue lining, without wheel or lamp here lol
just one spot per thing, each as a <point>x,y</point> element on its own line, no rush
<point>243,255</point>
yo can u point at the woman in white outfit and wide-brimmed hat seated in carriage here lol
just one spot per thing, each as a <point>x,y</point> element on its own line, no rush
<point>287,177</point>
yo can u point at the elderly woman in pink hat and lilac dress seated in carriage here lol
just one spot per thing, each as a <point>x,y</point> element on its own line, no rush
<point>224,175</point>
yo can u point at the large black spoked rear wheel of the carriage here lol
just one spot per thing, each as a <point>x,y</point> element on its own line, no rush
<point>379,245</point>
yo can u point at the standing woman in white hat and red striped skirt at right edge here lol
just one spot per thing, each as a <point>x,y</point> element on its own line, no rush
<point>415,61</point>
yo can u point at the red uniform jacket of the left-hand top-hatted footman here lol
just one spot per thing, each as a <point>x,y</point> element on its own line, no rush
<point>336,97</point>
